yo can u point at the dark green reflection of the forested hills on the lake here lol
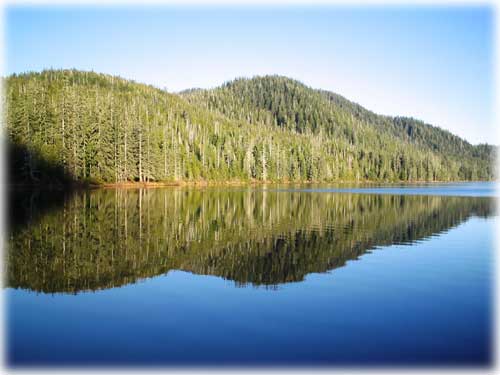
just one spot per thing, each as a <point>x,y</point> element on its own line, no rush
<point>106,238</point>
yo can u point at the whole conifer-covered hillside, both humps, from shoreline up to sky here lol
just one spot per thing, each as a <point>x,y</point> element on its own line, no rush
<point>67,125</point>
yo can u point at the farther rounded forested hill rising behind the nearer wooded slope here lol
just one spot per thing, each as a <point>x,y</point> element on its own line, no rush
<point>287,103</point>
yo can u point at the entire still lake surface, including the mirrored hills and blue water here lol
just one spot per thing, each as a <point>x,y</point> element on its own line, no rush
<point>287,276</point>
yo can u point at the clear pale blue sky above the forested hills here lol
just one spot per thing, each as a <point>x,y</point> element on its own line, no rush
<point>435,64</point>
